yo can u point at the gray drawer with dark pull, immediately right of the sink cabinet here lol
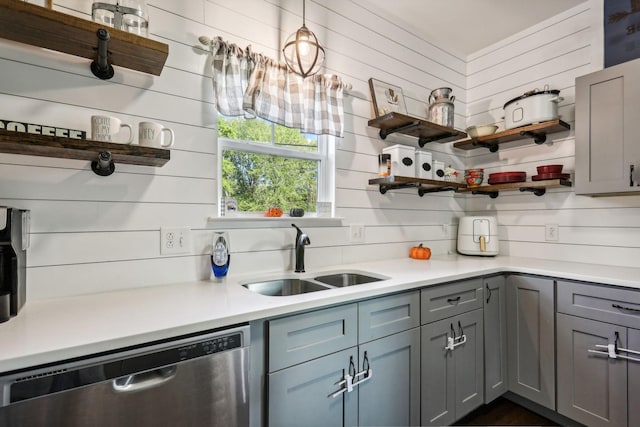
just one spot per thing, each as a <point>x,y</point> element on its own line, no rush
<point>444,301</point>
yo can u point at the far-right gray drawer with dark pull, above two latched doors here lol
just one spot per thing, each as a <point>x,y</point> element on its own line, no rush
<point>607,304</point>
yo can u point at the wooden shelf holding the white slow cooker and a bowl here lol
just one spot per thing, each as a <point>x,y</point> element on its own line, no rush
<point>537,131</point>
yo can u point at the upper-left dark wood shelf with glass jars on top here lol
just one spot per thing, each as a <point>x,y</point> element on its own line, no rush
<point>38,26</point>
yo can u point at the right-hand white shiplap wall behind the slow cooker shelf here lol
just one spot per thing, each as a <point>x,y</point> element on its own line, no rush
<point>592,230</point>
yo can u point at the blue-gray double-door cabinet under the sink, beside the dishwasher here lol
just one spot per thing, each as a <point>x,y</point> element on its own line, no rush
<point>306,387</point>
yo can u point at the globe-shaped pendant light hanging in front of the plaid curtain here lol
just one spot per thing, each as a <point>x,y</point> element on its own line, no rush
<point>302,51</point>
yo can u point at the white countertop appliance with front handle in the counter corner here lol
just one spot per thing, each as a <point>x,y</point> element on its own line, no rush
<point>478,235</point>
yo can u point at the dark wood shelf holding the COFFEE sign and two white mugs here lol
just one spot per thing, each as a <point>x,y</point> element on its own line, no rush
<point>80,149</point>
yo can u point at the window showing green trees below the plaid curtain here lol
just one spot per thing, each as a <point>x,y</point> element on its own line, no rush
<point>265,165</point>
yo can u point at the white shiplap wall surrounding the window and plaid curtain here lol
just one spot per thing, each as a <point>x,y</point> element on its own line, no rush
<point>94,234</point>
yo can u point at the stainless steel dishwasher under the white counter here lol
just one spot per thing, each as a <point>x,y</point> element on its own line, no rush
<point>198,381</point>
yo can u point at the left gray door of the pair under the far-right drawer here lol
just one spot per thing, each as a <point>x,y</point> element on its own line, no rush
<point>592,388</point>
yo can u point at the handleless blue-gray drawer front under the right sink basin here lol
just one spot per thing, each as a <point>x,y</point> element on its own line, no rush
<point>384,316</point>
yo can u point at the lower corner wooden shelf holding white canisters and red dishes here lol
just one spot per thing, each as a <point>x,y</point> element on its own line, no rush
<point>425,186</point>
